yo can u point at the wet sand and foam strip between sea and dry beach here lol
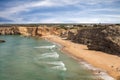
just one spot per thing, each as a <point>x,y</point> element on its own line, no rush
<point>98,73</point>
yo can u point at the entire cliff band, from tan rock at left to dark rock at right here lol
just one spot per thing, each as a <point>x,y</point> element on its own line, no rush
<point>105,39</point>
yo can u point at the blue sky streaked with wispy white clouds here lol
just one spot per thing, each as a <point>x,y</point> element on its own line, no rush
<point>59,11</point>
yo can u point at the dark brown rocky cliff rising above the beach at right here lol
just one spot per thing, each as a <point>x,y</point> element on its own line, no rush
<point>105,39</point>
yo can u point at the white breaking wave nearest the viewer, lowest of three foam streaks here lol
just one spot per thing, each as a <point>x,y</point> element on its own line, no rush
<point>59,65</point>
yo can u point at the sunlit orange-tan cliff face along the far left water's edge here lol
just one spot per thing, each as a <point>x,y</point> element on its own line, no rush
<point>29,31</point>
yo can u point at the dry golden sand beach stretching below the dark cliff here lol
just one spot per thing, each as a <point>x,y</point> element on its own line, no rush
<point>109,63</point>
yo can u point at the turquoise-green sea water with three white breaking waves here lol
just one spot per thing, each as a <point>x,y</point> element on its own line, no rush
<point>23,58</point>
